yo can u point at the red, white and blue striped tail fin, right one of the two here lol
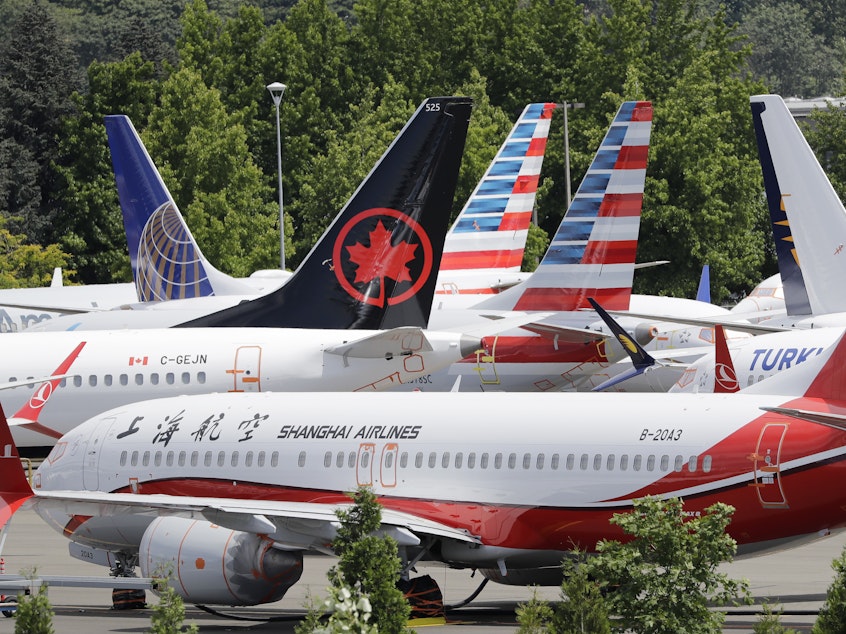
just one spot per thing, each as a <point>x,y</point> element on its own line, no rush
<point>593,252</point>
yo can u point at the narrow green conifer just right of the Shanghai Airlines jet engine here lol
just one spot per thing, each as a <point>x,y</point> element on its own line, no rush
<point>370,562</point>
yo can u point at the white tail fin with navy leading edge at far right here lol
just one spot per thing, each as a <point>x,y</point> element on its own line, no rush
<point>808,219</point>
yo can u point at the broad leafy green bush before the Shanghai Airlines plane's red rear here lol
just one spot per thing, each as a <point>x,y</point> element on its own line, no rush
<point>663,580</point>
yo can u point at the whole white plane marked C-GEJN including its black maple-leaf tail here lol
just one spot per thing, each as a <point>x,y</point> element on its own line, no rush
<point>353,315</point>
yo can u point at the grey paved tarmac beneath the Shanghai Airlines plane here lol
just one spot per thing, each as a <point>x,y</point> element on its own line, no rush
<point>797,579</point>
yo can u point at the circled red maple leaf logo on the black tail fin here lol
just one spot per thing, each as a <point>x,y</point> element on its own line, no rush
<point>382,259</point>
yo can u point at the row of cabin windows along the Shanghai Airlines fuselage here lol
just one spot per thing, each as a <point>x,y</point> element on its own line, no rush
<point>570,462</point>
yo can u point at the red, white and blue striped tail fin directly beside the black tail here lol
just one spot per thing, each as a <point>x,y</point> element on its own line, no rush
<point>489,236</point>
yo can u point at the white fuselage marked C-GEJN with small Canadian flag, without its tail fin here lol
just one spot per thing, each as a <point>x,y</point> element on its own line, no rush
<point>119,367</point>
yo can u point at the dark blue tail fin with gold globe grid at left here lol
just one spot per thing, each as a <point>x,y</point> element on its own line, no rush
<point>166,261</point>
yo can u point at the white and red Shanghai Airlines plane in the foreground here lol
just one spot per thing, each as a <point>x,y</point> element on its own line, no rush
<point>231,489</point>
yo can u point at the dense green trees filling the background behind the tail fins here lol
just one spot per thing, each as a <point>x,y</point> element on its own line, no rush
<point>192,76</point>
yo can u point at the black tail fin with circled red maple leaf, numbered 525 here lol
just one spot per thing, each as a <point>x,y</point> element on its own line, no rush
<point>375,266</point>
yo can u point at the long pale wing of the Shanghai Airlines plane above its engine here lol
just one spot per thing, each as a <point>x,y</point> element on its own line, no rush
<point>292,525</point>
